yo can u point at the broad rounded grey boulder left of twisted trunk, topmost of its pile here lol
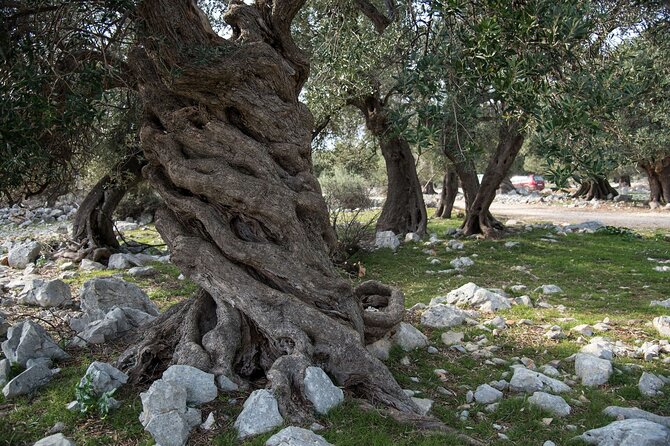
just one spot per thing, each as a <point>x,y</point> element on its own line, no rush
<point>99,296</point>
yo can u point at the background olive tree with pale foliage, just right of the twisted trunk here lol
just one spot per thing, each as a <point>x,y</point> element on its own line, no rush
<point>357,51</point>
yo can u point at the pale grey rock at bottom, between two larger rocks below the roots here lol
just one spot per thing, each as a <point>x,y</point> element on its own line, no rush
<point>260,414</point>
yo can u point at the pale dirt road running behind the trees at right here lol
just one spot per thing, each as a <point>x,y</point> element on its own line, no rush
<point>631,218</point>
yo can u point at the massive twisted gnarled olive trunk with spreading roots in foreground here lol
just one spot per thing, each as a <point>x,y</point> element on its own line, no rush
<point>228,145</point>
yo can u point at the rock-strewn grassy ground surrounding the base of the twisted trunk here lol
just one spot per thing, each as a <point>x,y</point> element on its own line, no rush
<point>531,348</point>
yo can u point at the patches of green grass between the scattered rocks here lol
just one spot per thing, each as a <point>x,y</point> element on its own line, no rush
<point>602,276</point>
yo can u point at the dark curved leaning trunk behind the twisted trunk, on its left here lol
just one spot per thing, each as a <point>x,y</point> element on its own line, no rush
<point>93,226</point>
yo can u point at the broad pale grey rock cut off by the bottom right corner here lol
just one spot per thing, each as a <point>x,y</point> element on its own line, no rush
<point>632,432</point>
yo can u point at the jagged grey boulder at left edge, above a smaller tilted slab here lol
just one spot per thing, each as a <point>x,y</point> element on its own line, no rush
<point>27,340</point>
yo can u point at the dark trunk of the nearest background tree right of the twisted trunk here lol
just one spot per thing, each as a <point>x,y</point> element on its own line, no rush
<point>404,209</point>
